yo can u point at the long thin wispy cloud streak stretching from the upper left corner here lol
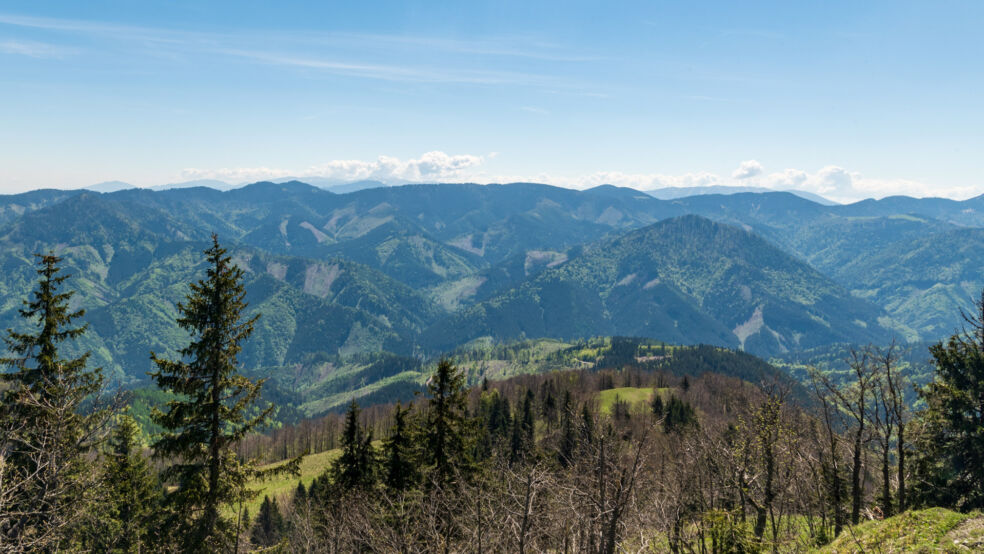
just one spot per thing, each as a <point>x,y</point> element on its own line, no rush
<point>345,54</point>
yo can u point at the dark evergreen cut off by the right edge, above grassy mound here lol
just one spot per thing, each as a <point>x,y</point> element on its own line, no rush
<point>951,463</point>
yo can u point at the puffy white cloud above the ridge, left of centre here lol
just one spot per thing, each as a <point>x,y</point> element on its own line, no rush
<point>431,166</point>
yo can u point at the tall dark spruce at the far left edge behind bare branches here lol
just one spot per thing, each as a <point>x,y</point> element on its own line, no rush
<point>46,434</point>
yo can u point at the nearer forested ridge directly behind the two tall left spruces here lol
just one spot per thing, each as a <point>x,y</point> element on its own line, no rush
<point>131,265</point>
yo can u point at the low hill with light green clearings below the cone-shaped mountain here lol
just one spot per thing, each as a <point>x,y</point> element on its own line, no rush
<point>327,384</point>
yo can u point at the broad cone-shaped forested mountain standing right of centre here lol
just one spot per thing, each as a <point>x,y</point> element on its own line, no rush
<point>685,280</point>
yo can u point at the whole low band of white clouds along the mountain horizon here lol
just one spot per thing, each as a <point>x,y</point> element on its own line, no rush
<point>832,182</point>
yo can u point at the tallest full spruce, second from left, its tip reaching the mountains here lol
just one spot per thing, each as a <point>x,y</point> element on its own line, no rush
<point>212,409</point>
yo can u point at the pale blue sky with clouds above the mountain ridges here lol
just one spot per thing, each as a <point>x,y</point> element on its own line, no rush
<point>846,99</point>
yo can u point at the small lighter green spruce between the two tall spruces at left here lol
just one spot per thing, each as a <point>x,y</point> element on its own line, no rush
<point>133,494</point>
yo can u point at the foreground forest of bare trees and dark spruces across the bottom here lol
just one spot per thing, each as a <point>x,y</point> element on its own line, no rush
<point>633,455</point>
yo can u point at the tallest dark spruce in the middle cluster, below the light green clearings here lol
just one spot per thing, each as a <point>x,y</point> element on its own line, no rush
<point>447,433</point>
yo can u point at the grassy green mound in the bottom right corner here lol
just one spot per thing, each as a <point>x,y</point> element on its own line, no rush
<point>930,530</point>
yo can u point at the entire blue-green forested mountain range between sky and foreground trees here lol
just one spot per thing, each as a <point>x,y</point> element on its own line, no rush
<point>424,268</point>
